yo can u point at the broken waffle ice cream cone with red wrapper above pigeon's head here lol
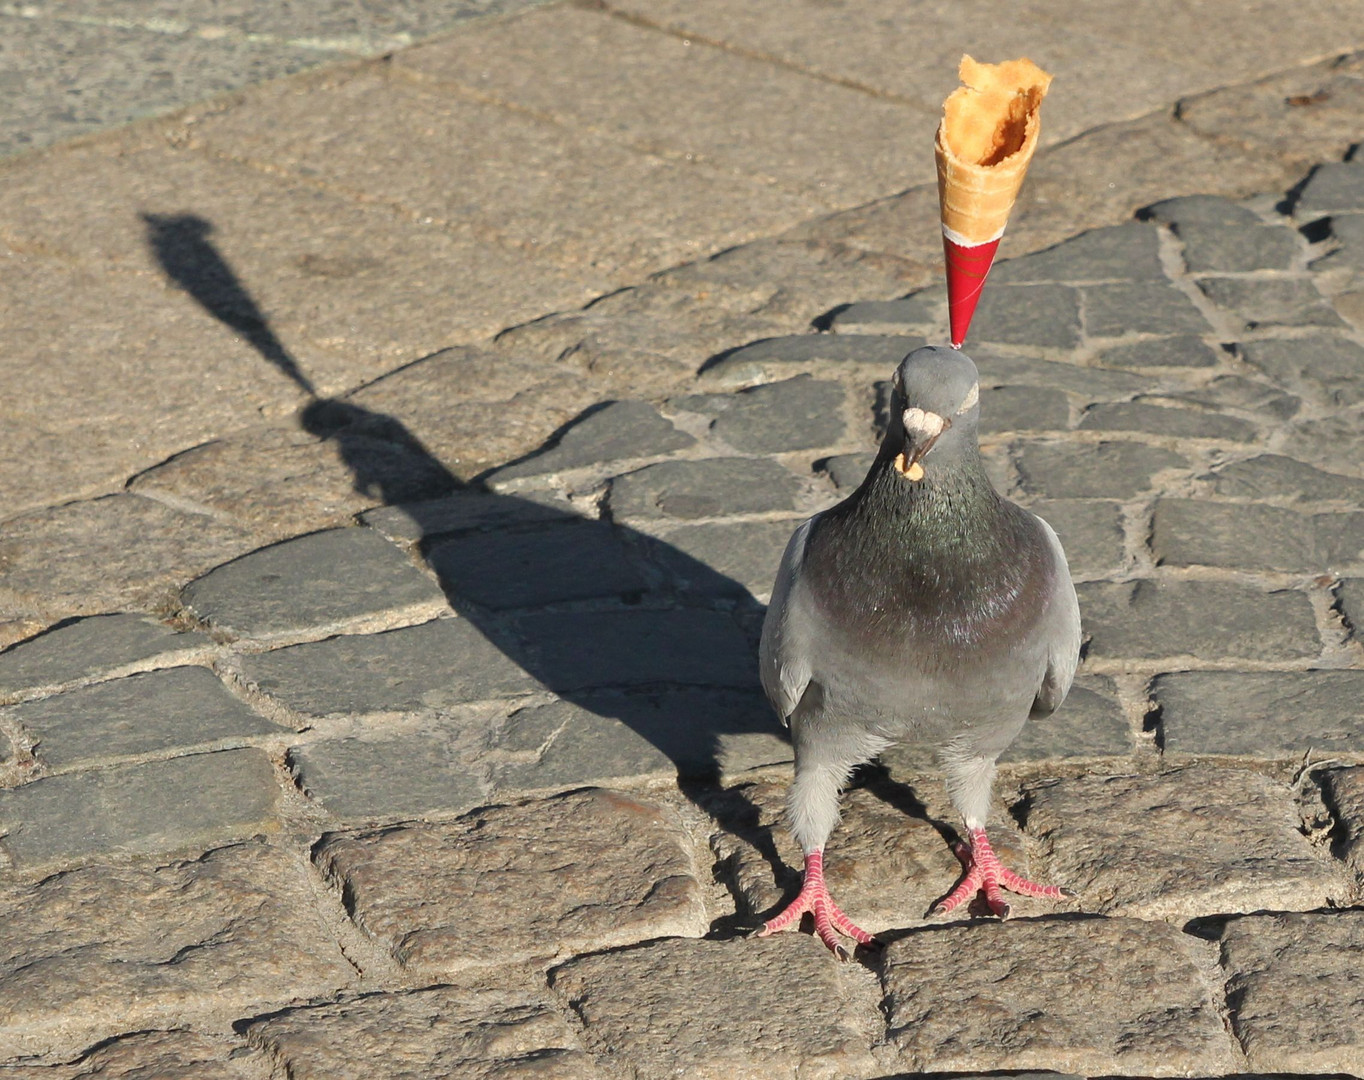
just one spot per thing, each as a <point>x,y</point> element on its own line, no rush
<point>984,147</point>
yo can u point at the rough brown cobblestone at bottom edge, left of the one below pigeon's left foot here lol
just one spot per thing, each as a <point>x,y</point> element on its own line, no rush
<point>473,1030</point>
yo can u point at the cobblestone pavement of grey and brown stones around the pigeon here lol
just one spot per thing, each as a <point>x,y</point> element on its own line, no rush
<point>417,733</point>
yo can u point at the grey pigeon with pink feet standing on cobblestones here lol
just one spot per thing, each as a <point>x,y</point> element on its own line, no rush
<point>924,609</point>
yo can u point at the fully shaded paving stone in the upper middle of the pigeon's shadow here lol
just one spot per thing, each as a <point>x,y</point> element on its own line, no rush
<point>548,565</point>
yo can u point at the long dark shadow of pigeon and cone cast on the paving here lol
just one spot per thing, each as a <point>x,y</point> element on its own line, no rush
<point>516,568</point>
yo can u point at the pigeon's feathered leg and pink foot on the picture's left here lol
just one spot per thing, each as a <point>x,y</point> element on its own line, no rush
<point>814,811</point>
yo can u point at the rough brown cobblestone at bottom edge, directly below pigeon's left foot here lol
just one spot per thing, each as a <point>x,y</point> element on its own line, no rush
<point>728,1012</point>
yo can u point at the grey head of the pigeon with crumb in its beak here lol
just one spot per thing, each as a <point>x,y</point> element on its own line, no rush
<point>935,407</point>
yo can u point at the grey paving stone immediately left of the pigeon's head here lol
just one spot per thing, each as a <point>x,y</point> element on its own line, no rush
<point>800,414</point>
